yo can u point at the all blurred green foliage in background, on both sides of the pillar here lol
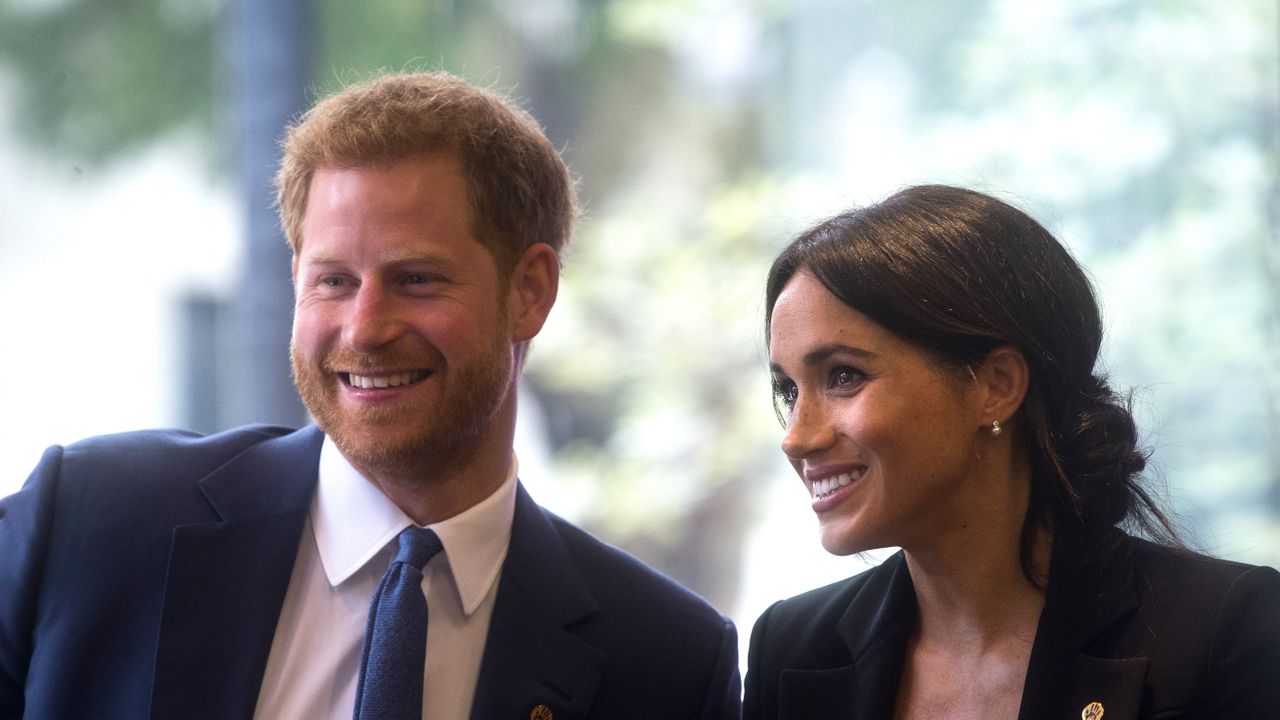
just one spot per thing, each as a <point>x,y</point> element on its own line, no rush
<point>706,134</point>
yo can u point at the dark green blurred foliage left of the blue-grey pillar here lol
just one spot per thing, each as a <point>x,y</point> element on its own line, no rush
<point>98,81</point>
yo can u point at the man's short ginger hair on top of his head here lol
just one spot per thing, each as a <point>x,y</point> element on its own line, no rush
<point>519,188</point>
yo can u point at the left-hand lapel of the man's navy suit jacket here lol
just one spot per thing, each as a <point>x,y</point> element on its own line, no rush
<point>227,581</point>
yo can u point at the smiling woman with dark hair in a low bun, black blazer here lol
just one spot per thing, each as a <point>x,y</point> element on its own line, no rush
<point>934,362</point>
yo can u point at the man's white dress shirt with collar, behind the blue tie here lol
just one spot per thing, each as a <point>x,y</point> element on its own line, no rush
<point>348,545</point>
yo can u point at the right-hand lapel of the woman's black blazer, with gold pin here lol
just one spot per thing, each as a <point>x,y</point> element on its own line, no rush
<point>1089,593</point>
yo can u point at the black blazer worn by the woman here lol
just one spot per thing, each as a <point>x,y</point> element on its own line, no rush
<point>1146,631</point>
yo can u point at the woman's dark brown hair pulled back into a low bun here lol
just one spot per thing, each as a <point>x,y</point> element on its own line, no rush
<point>959,274</point>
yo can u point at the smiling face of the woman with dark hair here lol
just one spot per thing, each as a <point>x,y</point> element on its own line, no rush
<point>881,435</point>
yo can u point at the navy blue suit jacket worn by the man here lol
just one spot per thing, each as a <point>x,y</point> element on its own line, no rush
<point>141,576</point>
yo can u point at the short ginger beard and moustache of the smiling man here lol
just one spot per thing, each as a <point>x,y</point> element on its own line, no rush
<point>427,435</point>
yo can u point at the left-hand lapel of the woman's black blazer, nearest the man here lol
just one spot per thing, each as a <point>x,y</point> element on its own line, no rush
<point>876,628</point>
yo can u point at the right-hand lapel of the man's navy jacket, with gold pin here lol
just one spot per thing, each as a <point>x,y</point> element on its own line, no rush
<point>532,658</point>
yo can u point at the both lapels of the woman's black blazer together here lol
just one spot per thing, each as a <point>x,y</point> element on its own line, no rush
<point>1091,587</point>
